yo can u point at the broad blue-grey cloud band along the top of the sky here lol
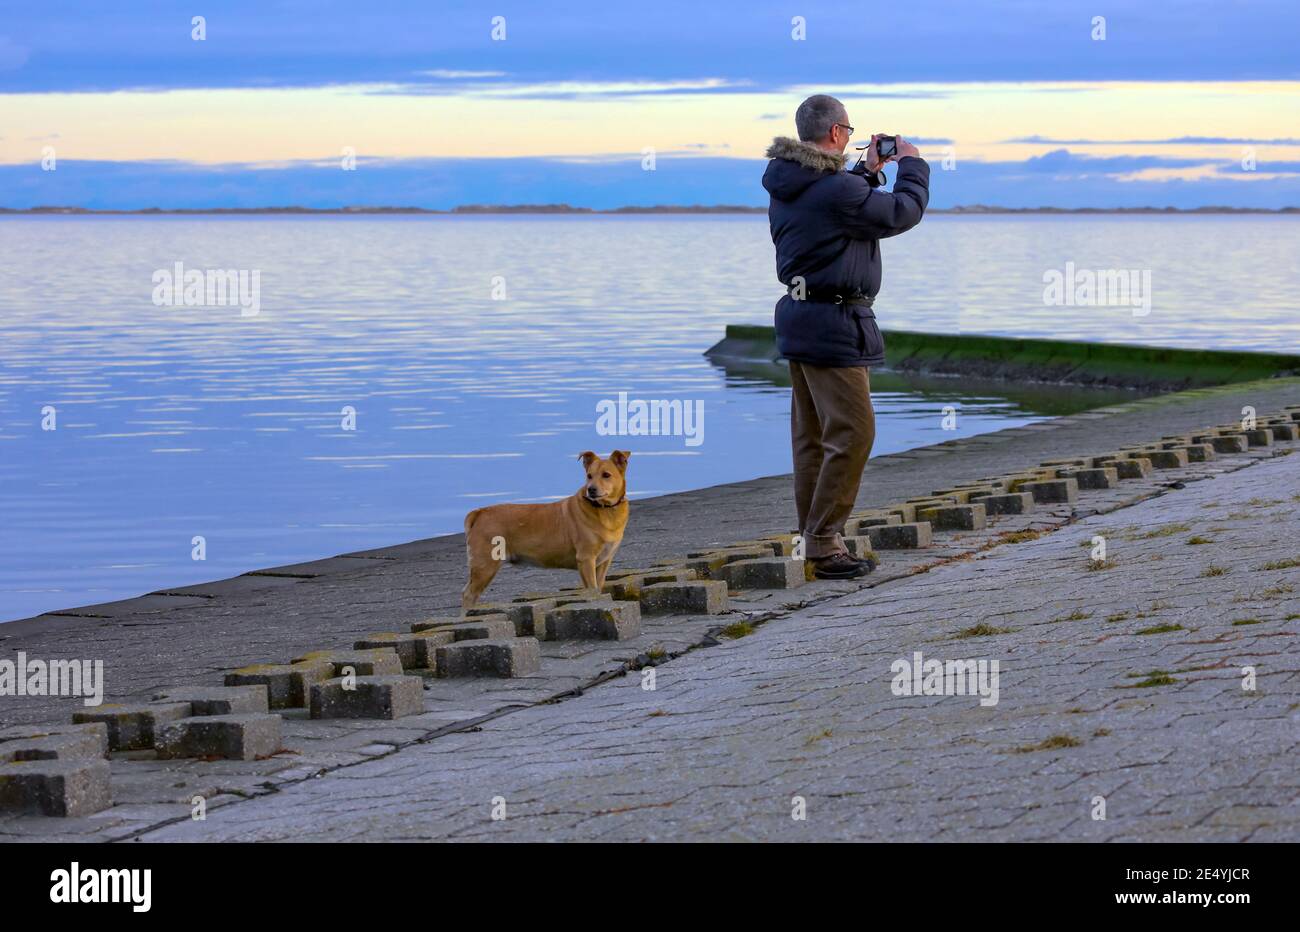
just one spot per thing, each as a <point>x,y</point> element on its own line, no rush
<point>89,46</point>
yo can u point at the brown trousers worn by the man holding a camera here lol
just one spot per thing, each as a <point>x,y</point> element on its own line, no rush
<point>833,428</point>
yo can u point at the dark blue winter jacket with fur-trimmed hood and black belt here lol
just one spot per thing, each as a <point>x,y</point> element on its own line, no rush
<point>827,226</point>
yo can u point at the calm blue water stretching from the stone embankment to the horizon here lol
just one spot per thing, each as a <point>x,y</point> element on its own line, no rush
<point>175,423</point>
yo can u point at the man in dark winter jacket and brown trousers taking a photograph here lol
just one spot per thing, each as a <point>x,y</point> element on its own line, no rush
<point>827,226</point>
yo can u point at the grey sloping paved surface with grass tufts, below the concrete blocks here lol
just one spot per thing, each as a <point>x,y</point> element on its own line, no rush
<point>1124,684</point>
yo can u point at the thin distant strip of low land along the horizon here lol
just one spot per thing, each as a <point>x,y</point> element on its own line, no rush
<point>566,210</point>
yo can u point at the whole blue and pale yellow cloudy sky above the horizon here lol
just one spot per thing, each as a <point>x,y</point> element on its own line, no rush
<point>1180,103</point>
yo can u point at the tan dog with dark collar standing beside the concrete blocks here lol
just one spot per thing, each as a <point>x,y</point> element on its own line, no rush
<point>582,532</point>
